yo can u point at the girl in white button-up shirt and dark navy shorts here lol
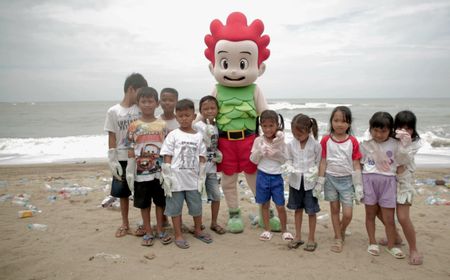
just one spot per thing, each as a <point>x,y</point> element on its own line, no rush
<point>304,154</point>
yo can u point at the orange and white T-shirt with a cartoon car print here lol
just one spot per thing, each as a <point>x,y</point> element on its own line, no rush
<point>146,139</point>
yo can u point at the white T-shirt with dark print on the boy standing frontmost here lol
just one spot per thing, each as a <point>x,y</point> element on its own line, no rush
<point>185,149</point>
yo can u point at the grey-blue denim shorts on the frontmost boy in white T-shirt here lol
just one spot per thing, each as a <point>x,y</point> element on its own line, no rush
<point>174,204</point>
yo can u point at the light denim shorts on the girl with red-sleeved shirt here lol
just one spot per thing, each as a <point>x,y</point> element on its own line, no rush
<point>339,188</point>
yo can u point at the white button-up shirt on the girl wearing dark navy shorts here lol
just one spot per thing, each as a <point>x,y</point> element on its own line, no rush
<point>303,160</point>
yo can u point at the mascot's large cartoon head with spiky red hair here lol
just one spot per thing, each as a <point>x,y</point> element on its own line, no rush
<point>236,50</point>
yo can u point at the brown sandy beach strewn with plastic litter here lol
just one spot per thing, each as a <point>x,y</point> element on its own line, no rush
<point>79,242</point>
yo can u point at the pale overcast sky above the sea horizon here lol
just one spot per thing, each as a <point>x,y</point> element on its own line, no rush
<point>83,50</point>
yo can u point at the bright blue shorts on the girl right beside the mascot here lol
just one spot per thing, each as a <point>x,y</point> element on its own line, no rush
<point>267,186</point>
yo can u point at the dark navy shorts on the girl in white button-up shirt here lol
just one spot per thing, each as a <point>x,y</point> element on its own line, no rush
<point>301,199</point>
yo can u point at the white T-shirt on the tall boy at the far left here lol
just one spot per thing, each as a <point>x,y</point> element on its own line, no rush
<point>118,118</point>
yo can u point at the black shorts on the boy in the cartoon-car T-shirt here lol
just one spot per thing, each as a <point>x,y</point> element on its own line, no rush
<point>145,192</point>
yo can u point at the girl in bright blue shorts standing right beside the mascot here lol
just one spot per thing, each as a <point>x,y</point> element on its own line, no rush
<point>269,153</point>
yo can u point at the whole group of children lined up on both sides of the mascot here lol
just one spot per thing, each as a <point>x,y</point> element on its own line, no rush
<point>172,158</point>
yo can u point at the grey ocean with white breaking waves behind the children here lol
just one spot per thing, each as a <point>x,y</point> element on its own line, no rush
<point>52,132</point>
